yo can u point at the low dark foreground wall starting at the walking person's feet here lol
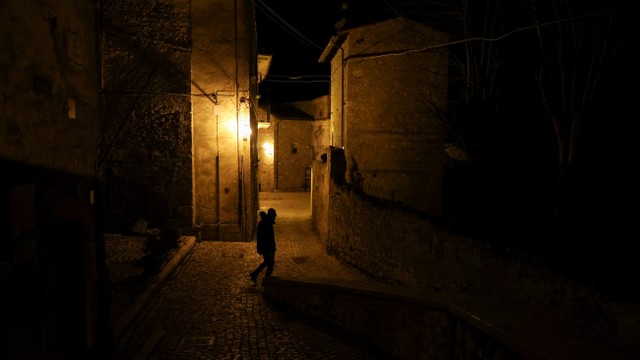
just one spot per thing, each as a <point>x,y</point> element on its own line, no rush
<point>400,326</point>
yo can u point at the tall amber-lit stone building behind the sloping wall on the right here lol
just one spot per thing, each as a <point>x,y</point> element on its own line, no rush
<point>382,76</point>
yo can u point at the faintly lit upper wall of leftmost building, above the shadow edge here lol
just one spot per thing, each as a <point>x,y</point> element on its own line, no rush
<point>49,85</point>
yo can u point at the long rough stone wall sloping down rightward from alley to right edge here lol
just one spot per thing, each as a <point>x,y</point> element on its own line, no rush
<point>399,246</point>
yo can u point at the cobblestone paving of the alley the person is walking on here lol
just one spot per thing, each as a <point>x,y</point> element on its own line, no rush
<point>208,308</point>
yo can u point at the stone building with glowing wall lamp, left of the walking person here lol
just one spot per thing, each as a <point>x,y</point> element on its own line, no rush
<point>179,81</point>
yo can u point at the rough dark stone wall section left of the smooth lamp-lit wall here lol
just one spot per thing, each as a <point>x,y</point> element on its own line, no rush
<point>145,156</point>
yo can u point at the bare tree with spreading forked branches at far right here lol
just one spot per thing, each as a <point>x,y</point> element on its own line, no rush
<point>577,41</point>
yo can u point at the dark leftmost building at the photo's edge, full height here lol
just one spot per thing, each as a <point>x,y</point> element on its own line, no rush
<point>49,126</point>
